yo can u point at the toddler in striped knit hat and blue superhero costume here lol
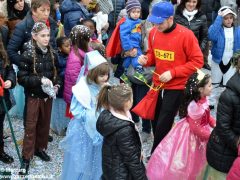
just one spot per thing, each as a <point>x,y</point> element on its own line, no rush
<point>130,36</point>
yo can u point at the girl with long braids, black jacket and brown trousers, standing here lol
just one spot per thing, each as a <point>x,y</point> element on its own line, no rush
<point>38,74</point>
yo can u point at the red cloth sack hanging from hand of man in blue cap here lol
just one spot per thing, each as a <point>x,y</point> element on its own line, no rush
<point>146,107</point>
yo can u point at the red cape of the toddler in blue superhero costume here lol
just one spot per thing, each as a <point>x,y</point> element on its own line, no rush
<point>114,45</point>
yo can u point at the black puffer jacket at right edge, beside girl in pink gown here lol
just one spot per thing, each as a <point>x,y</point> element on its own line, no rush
<point>222,145</point>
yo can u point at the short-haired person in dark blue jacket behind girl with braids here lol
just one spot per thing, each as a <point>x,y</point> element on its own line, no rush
<point>40,10</point>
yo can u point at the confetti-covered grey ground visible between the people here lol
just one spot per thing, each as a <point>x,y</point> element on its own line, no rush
<point>49,170</point>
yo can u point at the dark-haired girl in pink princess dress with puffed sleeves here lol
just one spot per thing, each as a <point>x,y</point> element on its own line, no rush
<point>182,153</point>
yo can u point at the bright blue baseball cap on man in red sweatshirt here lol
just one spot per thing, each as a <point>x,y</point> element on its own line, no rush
<point>160,12</point>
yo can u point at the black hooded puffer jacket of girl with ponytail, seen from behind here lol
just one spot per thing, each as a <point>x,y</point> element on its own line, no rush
<point>121,149</point>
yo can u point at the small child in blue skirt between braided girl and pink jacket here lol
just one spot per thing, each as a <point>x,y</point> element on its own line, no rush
<point>59,121</point>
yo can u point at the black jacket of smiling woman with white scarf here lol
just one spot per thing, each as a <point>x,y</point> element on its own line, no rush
<point>198,25</point>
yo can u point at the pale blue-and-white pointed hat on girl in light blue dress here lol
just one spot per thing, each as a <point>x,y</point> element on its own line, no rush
<point>93,59</point>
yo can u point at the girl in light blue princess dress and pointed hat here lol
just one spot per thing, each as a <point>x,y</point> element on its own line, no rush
<point>83,144</point>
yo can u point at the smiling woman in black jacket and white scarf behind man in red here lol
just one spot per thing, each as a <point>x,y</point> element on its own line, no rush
<point>188,14</point>
